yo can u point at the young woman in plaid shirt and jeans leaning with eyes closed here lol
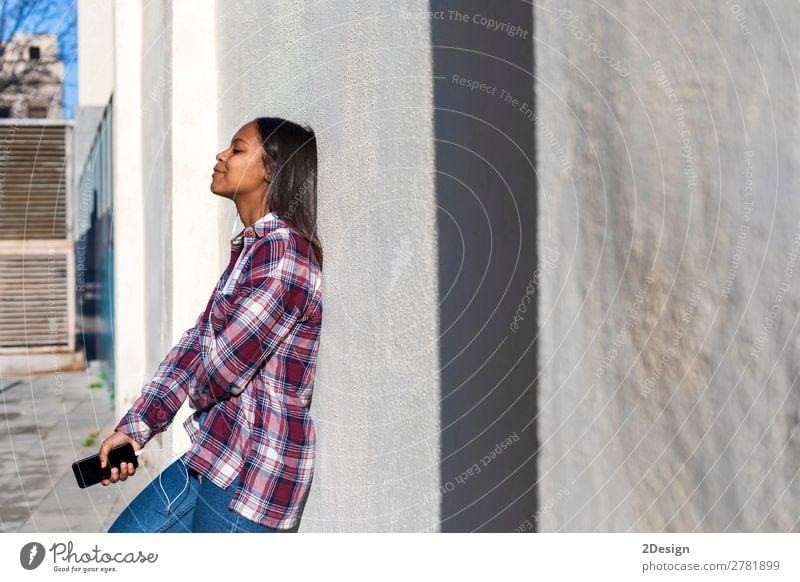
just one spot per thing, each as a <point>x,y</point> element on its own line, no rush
<point>247,366</point>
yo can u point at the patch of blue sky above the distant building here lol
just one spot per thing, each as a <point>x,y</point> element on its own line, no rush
<point>55,17</point>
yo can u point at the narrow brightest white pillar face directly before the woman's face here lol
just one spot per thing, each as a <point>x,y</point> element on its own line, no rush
<point>199,238</point>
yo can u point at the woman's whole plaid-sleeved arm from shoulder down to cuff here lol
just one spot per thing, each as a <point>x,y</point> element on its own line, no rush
<point>218,357</point>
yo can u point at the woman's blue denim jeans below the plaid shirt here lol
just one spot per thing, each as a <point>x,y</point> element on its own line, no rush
<point>179,500</point>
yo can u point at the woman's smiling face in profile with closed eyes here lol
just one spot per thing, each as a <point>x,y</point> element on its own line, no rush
<point>240,173</point>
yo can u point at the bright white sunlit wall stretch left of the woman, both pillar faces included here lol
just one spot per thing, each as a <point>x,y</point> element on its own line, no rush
<point>170,245</point>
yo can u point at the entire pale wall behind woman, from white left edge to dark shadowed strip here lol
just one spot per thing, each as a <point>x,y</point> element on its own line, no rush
<point>364,84</point>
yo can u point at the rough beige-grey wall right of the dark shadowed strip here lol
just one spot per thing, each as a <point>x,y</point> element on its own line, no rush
<point>667,143</point>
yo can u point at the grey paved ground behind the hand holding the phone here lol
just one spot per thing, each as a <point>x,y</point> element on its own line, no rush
<point>45,425</point>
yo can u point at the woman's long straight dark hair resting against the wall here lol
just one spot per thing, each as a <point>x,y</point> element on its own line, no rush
<point>290,150</point>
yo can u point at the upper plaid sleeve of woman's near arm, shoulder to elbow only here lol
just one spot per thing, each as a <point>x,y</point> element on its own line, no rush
<point>257,319</point>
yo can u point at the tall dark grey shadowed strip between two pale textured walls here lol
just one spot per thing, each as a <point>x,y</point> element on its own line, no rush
<point>486,186</point>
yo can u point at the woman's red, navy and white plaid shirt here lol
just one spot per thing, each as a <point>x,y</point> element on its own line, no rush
<point>249,361</point>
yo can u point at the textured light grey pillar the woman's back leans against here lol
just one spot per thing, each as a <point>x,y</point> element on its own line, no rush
<point>362,79</point>
